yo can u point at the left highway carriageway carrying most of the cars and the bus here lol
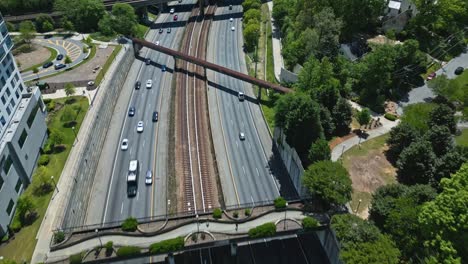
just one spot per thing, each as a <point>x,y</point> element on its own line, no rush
<point>149,147</point>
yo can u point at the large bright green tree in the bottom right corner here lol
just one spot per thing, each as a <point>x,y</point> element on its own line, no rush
<point>443,219</point>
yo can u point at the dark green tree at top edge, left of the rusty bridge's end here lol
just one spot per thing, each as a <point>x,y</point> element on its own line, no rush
<point>84,15</point>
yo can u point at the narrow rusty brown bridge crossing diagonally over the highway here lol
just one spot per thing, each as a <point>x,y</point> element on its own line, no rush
<point>138,44</point>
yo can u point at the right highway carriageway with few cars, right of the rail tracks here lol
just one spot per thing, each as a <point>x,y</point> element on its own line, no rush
<point>247,177</point>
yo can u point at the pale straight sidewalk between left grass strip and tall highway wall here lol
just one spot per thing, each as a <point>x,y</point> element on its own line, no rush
<point>57,206</point>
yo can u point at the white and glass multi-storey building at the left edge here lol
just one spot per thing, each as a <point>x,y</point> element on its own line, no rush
<point>22,130</point>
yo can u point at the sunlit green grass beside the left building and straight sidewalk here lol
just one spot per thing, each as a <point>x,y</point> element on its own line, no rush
<point>22,246</point>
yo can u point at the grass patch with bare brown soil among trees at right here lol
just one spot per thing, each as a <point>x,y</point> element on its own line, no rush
<point>368,169</point>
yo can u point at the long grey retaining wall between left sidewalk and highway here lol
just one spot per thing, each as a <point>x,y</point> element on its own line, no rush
<point>93,144</point>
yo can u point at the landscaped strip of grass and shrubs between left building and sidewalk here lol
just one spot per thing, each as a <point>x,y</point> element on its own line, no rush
<point>22,246</point>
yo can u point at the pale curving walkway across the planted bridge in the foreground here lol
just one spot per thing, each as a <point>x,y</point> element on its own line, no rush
<point>185,230</point>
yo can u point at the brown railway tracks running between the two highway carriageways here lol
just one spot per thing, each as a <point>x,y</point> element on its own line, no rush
<point>192,125</point>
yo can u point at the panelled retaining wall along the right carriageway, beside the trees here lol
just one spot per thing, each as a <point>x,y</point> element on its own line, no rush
<point>291,160</point>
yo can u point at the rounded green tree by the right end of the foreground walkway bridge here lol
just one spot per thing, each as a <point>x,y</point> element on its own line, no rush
<point>329,182</point>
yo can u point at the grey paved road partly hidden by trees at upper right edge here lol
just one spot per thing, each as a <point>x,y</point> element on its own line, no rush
<point>424,93</point>
